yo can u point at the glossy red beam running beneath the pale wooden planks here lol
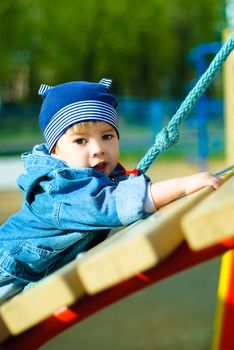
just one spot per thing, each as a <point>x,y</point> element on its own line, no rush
<point>182,259</point>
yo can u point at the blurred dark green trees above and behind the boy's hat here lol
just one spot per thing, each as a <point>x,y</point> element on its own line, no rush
<point>142,45</point>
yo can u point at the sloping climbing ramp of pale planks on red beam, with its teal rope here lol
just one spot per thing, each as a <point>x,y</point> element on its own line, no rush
<point>141,254</point>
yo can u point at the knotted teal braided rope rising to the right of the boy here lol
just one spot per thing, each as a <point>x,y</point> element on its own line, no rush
<point>170,134</point>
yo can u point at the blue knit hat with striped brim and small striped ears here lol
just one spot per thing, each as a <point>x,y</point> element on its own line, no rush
<point>67,104</point>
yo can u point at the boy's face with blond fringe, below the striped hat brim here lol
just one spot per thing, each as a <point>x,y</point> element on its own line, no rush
<point>96,146</point>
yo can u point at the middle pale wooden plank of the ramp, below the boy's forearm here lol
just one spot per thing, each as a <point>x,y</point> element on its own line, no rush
<point>142,246</point>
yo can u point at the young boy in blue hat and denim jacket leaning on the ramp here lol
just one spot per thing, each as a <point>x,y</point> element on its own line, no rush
<point>75,189</point>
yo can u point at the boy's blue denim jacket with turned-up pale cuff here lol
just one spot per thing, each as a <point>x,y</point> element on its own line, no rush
<point>65,211</point>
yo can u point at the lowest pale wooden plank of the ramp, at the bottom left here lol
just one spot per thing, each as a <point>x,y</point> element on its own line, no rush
<point>37,303</point>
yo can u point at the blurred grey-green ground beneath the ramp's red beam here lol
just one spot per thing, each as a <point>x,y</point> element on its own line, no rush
<point>176,314</point>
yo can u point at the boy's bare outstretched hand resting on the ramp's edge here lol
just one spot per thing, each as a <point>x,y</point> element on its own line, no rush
<point>196,182</point>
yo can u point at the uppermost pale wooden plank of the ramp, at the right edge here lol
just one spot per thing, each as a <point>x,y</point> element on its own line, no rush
<point>212,220</point>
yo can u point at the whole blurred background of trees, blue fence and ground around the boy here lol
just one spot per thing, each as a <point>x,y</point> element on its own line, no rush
<point>154,50</point>
